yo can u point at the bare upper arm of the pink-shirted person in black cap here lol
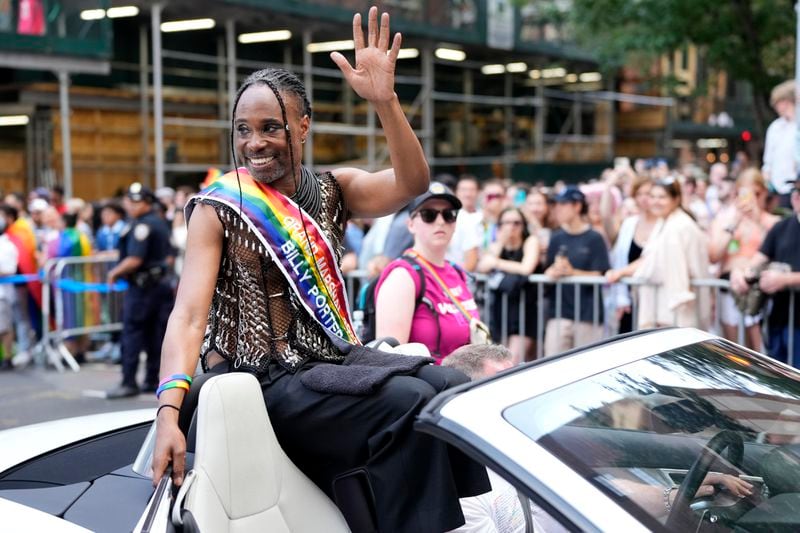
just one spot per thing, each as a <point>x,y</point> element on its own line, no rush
<point>394,306</point>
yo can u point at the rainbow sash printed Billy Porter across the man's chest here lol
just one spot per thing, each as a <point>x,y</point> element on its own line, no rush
<point>300,250</point>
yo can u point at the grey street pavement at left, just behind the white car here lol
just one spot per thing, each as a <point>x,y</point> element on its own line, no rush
<point>35,394</point>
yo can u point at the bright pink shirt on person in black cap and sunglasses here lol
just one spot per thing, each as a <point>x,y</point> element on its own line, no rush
<point>448,329</point>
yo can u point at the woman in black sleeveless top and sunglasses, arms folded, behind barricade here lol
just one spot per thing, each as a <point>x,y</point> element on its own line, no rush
<point>512,258</point>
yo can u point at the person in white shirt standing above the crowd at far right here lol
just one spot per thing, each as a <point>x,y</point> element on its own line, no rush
<point>780,167</point>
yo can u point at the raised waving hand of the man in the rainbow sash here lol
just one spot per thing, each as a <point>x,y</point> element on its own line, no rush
<point>373,76</point>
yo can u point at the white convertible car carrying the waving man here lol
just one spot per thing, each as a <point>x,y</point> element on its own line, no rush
<point>618,436</point>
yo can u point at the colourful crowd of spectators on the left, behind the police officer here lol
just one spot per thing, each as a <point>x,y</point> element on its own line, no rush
<point>44,225</point>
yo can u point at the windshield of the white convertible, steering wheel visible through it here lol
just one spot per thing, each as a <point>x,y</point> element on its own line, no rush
<point>704,436</point>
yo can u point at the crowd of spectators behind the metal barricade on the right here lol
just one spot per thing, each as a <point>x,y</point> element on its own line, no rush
<point>663,231</point>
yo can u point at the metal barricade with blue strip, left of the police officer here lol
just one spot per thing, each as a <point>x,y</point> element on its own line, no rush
<point>76,300</point>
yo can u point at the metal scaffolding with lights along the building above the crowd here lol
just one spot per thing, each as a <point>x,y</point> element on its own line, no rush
<point>465,119</point>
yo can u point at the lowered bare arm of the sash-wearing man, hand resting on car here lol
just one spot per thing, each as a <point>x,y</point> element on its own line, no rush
<point>185,330</point>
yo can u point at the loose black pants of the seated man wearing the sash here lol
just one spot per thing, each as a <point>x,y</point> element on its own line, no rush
<point>416,479</point>
